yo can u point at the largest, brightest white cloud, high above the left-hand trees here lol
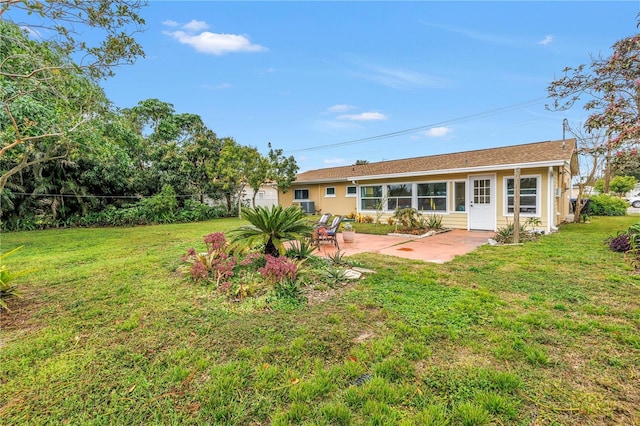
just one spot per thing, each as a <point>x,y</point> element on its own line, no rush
<point>193,34</point>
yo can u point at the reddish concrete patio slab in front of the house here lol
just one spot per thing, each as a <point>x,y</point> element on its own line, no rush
<point>438,248</point>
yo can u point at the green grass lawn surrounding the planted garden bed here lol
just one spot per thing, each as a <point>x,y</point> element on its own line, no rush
<point>107,332</point>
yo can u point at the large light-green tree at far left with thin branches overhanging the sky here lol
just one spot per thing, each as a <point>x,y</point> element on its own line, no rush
<point>49,73</point>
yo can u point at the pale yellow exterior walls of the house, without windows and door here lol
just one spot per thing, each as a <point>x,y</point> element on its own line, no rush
<point>552,200</point>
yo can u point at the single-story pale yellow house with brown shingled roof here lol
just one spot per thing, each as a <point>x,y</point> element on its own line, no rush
<point>471,190</point>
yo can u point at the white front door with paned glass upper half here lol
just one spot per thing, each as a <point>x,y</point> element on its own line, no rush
<point>482,203</point>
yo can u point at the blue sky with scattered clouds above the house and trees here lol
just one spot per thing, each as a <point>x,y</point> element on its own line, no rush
<point>315,78</point>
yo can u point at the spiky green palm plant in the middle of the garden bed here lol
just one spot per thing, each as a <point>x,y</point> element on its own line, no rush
<point>272,227</point>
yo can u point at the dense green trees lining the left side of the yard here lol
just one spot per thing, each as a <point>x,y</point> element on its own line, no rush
<point>65,149</point>
